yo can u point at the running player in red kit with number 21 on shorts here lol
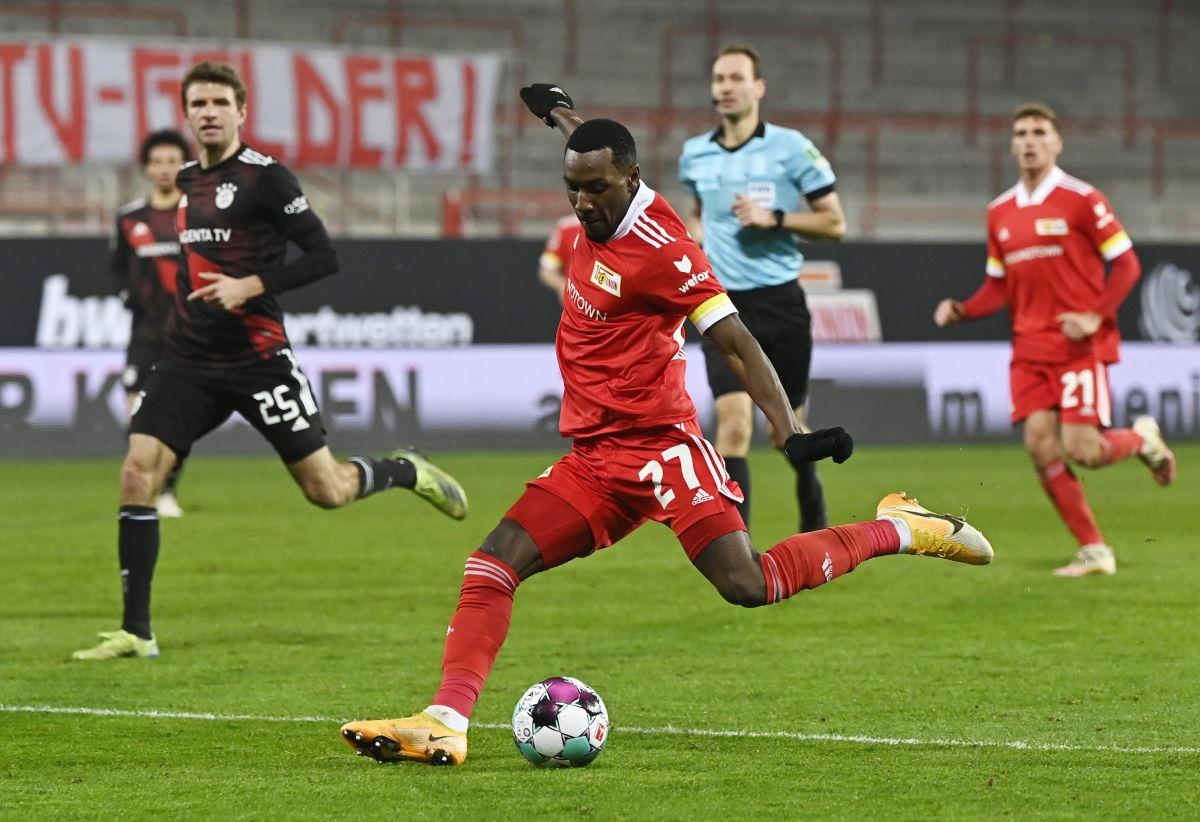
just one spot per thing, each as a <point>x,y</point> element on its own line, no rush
<point>1049,241</point>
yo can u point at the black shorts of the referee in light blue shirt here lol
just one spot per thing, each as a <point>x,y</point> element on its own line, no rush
<point>778,317</point>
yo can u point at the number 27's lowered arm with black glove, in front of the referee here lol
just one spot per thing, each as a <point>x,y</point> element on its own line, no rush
<point>748,362</point>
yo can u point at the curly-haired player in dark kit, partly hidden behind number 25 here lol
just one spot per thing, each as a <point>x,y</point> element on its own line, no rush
<point>145,267</point>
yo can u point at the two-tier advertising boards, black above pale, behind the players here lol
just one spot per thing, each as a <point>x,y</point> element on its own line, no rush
<point>451,345</point>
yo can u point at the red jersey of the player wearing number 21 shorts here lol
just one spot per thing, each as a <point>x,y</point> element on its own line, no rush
<point>1052,248</point>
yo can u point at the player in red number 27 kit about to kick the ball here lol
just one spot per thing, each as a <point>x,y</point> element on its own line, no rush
<point>639,455</point>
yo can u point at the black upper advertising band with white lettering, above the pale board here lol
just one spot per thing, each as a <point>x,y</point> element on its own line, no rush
<point>439,293</point>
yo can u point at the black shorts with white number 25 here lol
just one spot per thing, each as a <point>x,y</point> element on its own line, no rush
<point>182,404</point>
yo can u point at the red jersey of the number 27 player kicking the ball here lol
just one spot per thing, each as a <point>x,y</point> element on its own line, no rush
<point>621,337</point>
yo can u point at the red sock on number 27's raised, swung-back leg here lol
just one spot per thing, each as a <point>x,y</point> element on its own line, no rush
<point>813,560</point>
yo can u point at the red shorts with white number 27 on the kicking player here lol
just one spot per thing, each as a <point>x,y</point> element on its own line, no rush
<point>614,484</point>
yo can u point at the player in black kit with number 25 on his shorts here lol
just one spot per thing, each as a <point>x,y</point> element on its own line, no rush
<point>227,351</point>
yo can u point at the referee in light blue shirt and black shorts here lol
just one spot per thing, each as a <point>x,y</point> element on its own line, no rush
<point>749,179</point>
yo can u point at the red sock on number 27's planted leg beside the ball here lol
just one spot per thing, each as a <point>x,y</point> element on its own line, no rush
<point>477,631</point>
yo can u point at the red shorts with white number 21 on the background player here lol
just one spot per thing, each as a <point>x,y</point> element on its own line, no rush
<point>1079,391</point>
